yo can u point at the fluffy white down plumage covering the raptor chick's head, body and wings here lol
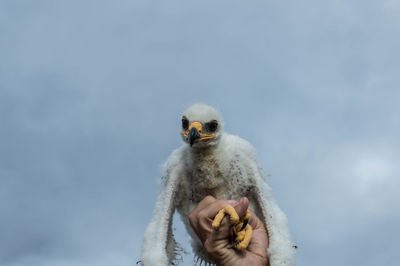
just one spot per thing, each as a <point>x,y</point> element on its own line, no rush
<point>224,166</point>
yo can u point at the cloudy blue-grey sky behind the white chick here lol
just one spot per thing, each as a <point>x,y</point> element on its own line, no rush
<point>91,94</point>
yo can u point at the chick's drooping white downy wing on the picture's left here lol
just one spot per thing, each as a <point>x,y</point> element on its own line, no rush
<point>159,246</point>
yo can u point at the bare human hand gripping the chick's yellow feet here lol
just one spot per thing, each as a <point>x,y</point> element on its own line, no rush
<point>217,244</point>
